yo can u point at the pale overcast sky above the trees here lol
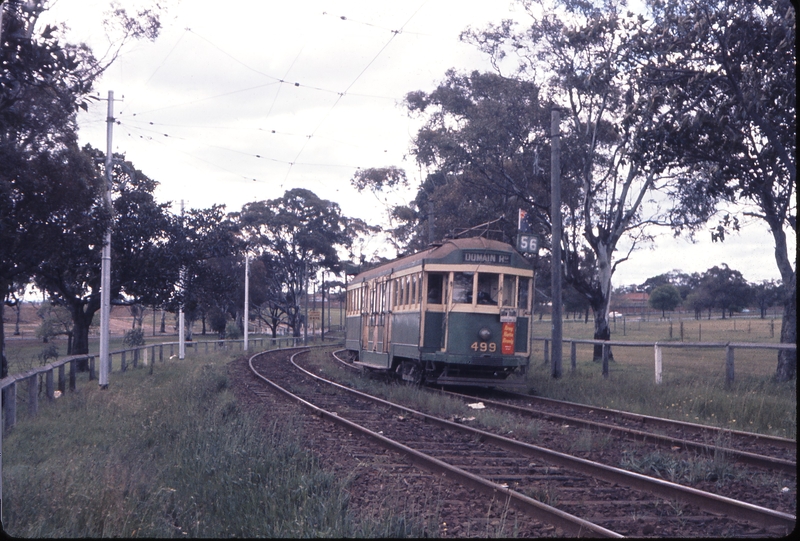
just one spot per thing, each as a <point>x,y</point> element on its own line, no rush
<point>239,102</point>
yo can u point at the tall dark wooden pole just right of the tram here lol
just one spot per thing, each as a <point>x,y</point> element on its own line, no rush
<point>555,218</point>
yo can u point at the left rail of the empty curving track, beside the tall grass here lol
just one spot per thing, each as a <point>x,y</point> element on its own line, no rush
<point>570,524</point>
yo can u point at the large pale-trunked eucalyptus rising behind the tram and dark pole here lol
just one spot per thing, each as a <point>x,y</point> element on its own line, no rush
<point>486,137</point>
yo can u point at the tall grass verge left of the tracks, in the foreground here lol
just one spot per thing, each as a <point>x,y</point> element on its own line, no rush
<point>168,455</point>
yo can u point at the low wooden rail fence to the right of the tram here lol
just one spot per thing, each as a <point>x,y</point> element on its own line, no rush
<point>657,348</point>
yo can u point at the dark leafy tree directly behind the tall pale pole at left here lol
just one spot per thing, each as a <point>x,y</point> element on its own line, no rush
<point>143,271</point>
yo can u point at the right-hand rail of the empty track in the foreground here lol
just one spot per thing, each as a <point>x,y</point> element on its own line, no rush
<point>761,516</point>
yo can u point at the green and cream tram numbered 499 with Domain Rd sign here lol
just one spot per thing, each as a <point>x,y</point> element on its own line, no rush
<point>456,313</point>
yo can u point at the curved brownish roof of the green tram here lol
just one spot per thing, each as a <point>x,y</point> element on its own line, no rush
<point>449,252</point>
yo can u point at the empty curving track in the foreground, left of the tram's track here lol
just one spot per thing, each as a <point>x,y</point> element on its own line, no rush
<point>576,495</point>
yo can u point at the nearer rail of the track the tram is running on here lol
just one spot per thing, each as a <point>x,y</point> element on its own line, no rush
<point>753,459</point>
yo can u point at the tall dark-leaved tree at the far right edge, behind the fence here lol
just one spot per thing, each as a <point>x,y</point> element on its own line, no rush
<point>729,72</point>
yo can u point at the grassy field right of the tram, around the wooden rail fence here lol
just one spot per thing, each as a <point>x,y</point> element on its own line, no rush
<point>693,385</point>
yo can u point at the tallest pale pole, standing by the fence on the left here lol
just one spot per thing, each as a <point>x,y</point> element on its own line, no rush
<point>105,269</point>
